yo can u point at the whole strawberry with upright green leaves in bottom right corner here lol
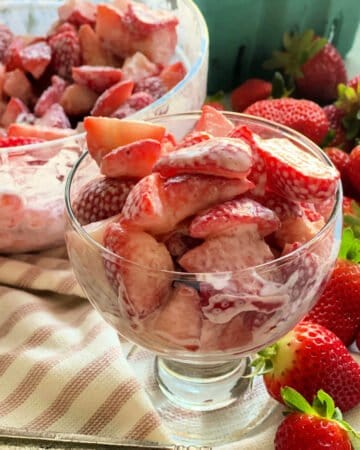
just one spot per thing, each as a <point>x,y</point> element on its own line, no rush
<point>313,427</point>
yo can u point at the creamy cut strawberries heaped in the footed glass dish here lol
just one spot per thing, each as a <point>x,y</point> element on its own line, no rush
<point>200,233</point>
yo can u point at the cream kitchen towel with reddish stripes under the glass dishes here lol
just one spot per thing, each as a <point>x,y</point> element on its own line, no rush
<point>64,370</point>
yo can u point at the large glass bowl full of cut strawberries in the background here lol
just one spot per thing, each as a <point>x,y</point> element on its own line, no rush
<point>61,61</point>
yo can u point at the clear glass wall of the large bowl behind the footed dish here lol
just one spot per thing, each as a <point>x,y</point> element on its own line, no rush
<point>35,195</point>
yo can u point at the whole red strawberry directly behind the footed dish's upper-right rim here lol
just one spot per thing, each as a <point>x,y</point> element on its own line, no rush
<point>304,116</point>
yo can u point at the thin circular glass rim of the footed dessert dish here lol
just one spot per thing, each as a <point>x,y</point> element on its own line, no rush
<point>282,260</point>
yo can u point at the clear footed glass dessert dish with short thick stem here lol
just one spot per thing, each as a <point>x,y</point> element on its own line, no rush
<point>204,327</point>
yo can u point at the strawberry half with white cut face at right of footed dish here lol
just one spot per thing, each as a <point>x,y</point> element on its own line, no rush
<point>296,174</point>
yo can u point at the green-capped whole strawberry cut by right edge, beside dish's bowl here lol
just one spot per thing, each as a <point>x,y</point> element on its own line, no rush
<point>338,308</point>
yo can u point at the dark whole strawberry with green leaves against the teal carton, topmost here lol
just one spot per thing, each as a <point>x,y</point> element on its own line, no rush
<point>313,63</point>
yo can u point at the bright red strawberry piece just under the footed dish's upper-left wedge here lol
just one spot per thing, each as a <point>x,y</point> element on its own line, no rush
<point>132,160</point>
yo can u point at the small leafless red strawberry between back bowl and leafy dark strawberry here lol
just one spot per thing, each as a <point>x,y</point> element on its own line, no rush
<point>249,92</point>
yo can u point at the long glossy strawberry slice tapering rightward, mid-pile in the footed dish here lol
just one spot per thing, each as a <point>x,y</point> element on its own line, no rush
<point>156,204</point>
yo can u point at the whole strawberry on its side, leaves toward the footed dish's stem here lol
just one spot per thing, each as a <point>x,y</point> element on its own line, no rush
<point>309,358</point>
